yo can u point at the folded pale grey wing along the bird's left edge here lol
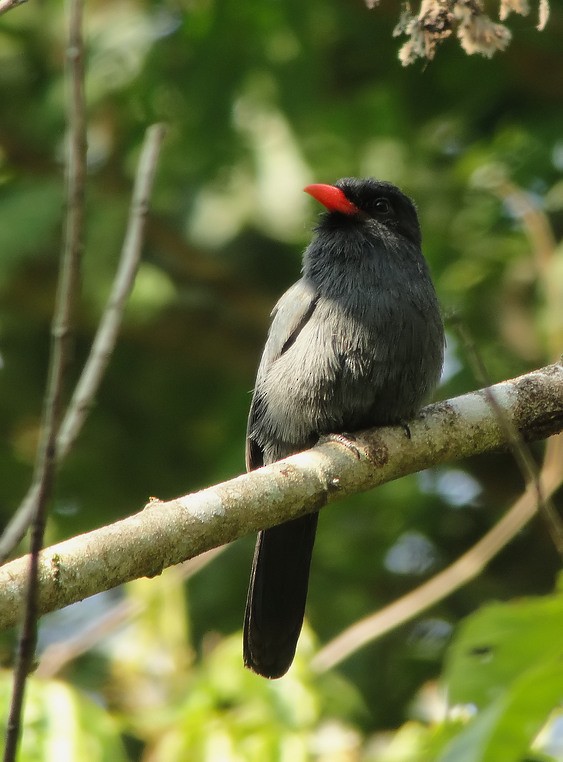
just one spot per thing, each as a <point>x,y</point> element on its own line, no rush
<point>289,316</point>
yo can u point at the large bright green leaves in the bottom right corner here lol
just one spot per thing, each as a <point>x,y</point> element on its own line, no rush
<point>506,661</point>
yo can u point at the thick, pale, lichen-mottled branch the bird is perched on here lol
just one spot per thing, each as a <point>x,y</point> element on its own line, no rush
<point>166,533</point>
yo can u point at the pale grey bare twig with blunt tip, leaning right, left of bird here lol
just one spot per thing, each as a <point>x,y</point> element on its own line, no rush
<point>106,334</point>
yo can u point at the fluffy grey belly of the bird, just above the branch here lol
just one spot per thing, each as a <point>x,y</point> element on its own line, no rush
<point>334,379</point>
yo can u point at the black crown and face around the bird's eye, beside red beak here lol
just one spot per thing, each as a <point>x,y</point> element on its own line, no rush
<point>385,203</point>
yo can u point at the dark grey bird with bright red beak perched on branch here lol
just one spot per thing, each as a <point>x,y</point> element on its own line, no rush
<point>356,342</point>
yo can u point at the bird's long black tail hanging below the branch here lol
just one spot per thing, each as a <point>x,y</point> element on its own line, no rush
<point>276,597</point>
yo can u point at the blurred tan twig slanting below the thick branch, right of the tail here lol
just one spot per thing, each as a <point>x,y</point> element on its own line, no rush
<point>462,571</point>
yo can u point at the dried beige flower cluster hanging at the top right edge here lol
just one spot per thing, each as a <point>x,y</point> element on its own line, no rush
<point>439,19</point>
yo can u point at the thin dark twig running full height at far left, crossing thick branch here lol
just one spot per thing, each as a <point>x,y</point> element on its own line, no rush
<point>60,341</point>
